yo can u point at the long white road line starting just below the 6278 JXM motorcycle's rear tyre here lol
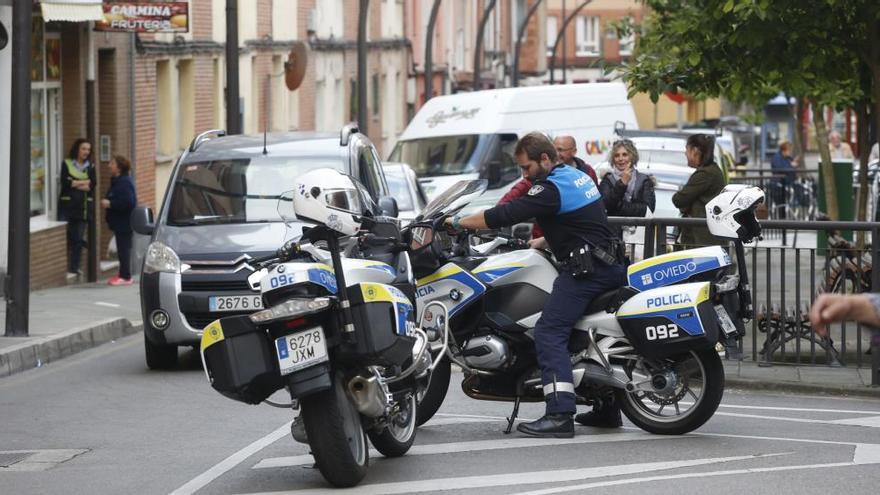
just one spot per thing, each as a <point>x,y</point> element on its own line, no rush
<point>514,479</point>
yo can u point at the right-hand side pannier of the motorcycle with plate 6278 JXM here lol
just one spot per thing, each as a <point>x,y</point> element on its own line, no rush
<point>383,320</point>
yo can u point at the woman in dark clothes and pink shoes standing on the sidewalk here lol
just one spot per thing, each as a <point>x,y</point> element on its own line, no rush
<point>119,201</point>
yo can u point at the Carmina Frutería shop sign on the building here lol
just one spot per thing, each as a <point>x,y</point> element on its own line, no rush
<point>145,17</point>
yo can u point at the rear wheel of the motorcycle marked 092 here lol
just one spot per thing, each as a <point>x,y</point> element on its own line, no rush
<point>696,381</point>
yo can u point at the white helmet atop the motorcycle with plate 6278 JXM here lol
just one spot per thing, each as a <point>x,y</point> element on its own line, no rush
<point>328,197</point>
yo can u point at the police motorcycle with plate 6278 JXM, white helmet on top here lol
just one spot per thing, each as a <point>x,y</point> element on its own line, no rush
<point>342,342</point>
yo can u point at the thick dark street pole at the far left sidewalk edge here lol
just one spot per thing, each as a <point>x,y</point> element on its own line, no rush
<point>18,293</point>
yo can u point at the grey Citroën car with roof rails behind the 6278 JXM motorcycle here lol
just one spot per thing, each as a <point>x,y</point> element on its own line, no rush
<point>221,210</point>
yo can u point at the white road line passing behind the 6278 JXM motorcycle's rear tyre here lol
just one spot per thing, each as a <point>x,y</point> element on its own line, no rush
<point>481,446</point>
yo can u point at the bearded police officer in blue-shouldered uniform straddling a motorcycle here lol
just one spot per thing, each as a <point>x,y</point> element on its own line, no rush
<point>568,207</point>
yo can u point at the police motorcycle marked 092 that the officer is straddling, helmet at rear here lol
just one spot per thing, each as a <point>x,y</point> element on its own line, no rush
<point>650,344</point>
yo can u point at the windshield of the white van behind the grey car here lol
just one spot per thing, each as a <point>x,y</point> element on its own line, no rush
<point>444,155</point>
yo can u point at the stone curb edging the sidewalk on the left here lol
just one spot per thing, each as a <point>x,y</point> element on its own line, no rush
<point>37,352</point>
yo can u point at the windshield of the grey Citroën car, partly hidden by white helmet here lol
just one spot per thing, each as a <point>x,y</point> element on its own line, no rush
<point>237,190</point>
